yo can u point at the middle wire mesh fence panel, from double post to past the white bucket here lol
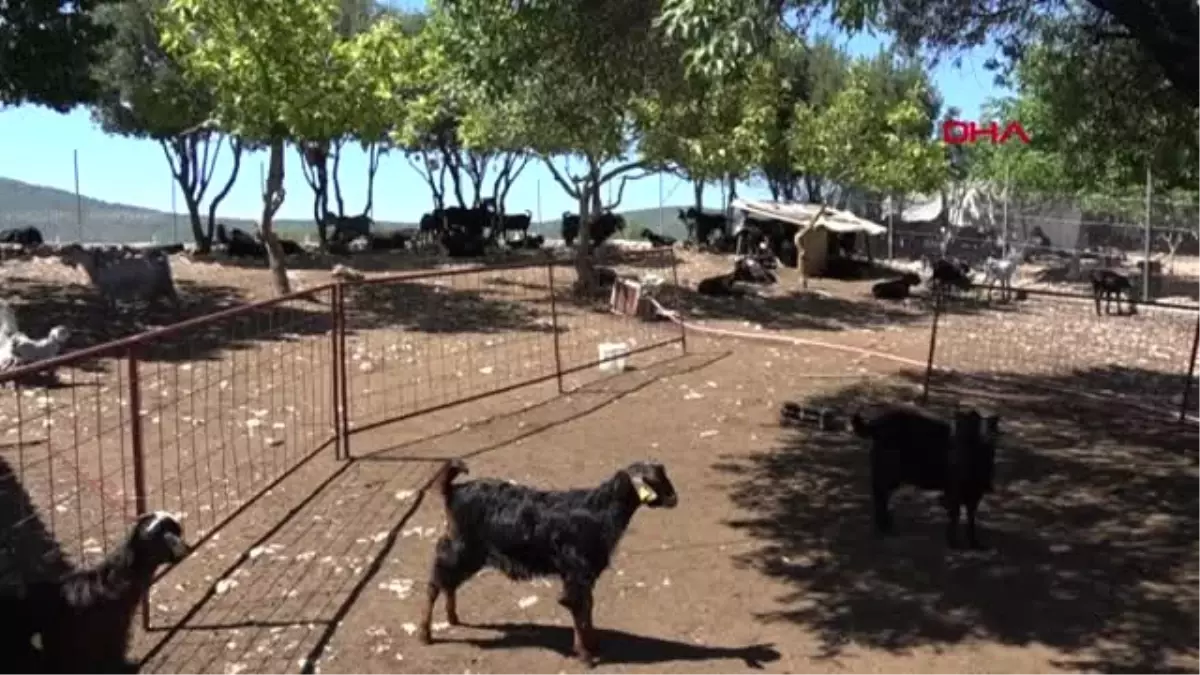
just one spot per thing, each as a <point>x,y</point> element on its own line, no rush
<point>421,343</point>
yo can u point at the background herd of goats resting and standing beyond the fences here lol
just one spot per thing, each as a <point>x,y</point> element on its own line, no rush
<point>124,273</point>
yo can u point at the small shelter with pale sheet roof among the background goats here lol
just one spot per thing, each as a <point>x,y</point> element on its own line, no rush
<point>817,236</point>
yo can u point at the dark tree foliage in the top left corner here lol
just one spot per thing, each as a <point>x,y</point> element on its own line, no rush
<point>47,49</point>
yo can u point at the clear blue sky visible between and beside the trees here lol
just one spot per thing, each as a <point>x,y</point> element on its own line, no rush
<point>39,147</point>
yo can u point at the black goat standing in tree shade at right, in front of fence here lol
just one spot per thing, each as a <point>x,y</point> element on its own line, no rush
<point>910,447</point>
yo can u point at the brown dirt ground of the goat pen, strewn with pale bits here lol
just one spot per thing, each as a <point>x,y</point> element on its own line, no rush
<point>769,563</point>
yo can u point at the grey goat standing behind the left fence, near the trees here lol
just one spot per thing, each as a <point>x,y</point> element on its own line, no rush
<point>143,274</point>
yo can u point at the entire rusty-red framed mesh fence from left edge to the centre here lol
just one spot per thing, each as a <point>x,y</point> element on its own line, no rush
<point>205,417</point>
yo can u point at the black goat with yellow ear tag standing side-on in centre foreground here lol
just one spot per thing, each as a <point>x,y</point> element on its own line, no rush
<point>526,534</point>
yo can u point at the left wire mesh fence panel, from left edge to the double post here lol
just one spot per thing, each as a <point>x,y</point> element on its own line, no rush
<point>196,420</point>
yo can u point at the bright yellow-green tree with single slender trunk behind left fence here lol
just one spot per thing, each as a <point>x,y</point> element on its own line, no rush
<point>280,70</point>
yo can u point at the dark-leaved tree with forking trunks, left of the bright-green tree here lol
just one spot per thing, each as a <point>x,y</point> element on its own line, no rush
<point>145,95</point>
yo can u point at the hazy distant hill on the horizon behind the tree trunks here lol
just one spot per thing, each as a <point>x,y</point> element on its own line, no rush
<point>58,216</point>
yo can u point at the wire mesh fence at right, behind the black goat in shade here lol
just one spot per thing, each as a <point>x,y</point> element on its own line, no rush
<point>1070,344</point>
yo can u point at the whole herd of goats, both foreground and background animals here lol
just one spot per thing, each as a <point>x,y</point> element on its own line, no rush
<point>80,624</point>
